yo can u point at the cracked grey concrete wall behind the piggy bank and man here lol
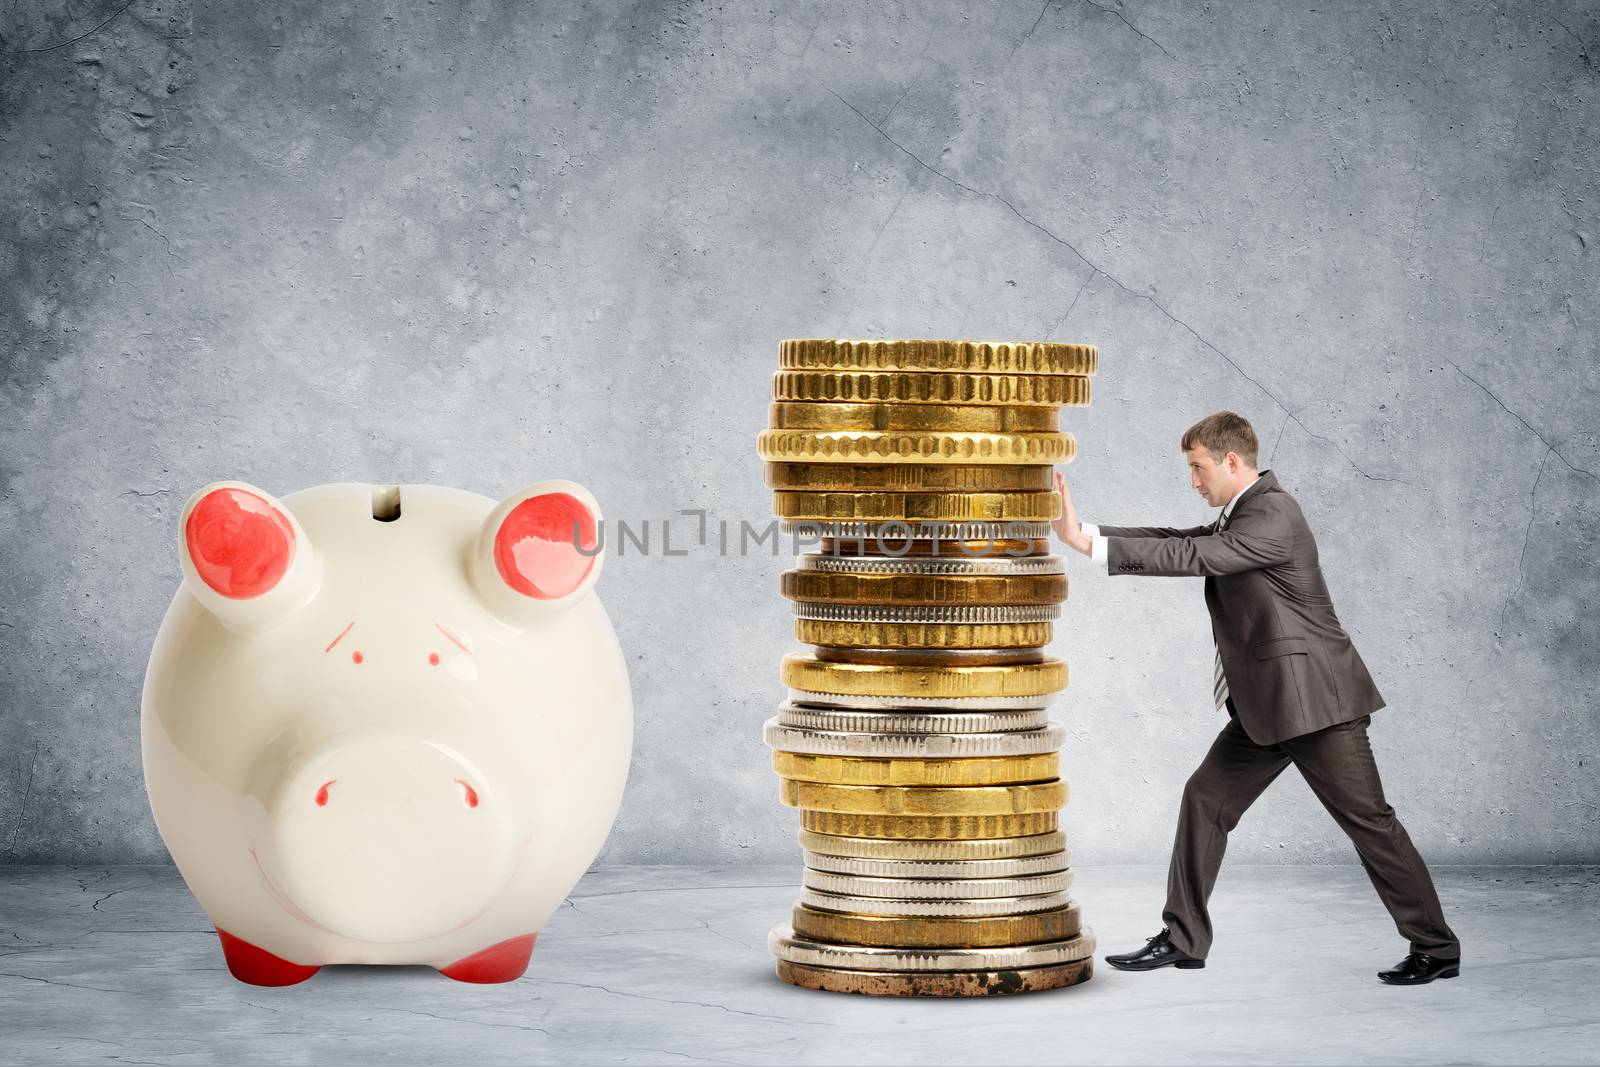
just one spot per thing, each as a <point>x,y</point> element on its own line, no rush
<point>479,244</point>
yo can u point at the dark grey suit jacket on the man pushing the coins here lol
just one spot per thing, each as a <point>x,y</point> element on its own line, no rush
<point>1290,666</point>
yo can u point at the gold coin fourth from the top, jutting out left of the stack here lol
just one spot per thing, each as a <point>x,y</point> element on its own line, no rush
<point>860,447</point>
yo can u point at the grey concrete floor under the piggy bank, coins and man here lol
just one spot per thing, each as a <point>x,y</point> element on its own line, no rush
<point>670,965</point>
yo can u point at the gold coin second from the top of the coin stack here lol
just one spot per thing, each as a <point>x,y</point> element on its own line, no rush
<point>1020,391</point>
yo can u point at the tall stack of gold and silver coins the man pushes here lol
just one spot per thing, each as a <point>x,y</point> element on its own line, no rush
<point>916,740</point>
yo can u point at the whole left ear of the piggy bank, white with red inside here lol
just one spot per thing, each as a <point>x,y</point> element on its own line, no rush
<point>246,557</point>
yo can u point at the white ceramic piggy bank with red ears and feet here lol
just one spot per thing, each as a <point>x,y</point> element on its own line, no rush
<point>386,724</point>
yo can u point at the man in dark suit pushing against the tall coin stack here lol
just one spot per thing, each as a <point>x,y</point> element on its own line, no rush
<point>1295,690</point>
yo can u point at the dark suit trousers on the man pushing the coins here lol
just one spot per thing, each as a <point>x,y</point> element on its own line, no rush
<point>1338,765</point>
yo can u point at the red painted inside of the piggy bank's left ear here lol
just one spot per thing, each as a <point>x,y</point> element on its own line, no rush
<point>239,543</point>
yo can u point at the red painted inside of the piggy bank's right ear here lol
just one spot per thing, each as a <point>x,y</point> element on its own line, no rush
<point>537,546</point>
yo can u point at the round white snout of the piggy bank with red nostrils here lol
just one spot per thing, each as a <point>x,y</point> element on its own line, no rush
<point>386,839</point>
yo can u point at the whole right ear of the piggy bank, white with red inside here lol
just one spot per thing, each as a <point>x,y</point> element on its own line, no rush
<point>540,553</point>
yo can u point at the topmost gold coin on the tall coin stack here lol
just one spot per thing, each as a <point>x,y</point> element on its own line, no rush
<point>988,358</point>
